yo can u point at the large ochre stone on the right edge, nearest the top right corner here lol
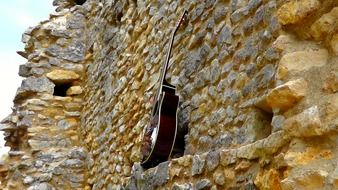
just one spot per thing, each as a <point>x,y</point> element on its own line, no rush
<point>325,25</point>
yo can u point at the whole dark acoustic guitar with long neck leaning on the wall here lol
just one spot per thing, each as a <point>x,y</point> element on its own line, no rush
<point>159,137</point>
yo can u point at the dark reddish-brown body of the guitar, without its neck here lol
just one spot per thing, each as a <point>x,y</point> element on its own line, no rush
<point>164,129</point>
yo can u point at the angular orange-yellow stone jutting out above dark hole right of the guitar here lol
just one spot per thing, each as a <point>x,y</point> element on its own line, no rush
<point>285,96</point>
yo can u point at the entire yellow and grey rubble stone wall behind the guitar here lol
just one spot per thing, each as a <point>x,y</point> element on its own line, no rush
<point>257,81</point>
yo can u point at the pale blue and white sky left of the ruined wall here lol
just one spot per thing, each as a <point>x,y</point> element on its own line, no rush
<point>15,17</point>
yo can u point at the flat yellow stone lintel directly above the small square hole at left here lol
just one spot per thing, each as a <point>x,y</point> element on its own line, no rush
<point>62,76</point>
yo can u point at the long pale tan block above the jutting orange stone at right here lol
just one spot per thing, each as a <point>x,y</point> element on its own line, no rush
<point>299,61</point>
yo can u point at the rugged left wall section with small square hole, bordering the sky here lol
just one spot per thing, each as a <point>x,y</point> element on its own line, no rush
<point>44,129</point>
